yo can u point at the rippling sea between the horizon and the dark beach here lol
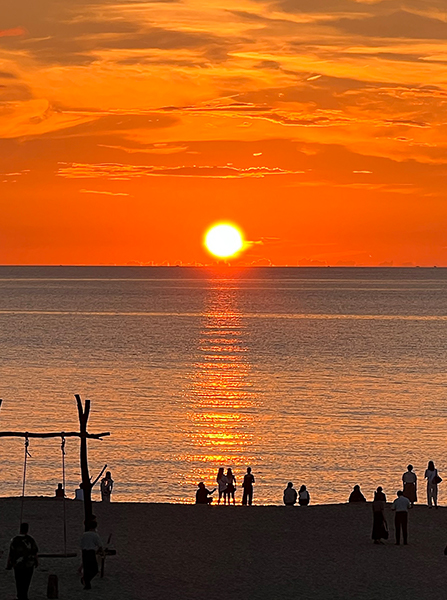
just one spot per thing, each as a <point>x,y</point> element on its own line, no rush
<point>327,377</point>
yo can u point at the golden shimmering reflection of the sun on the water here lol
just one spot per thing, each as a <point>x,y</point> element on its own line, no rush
<point>220,401</point>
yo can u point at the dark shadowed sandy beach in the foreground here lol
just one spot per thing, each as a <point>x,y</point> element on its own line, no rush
<point>321,552</point>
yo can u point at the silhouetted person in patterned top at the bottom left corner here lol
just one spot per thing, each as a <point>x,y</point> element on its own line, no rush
<point>23,558</point>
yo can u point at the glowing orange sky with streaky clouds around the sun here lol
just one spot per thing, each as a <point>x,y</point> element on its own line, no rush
<point>319,126</point>
